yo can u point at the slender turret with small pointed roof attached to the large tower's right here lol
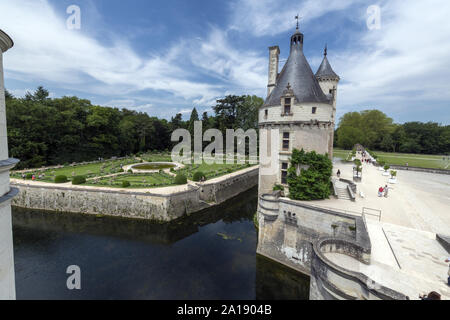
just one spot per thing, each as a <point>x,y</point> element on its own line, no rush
<point>328,81</point>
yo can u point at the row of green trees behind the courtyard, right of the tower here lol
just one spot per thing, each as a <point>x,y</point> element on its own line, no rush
<point>376,131</point>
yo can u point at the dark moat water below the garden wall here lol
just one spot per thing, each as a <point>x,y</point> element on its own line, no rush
<point>208,255</point>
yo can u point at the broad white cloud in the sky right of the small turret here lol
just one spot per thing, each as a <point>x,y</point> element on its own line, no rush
<point>403,66</point>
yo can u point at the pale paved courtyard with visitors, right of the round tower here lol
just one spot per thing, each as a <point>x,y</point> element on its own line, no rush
<point>405,253</point>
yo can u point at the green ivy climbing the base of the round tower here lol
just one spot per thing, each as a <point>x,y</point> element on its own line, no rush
<point>313,181</point>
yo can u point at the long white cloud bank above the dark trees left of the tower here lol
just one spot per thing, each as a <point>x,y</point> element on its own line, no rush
<point>45,50</point>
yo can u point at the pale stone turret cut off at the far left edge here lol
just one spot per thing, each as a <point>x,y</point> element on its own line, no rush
<point>7,282</point>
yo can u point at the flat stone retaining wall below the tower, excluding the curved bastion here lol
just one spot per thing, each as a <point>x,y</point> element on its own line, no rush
<point>288,229</point>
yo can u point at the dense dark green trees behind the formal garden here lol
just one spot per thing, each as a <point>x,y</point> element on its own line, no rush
<point>45,131</point>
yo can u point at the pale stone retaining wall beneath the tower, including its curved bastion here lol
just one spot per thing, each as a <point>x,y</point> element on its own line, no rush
<point>297,235</point>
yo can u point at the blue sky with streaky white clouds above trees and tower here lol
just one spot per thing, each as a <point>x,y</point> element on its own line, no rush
<point>166,57</point>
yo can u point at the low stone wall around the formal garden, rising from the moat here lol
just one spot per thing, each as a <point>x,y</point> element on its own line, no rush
<point>151,206</point>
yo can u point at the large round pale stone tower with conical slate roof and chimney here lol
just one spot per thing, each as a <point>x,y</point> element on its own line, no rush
<point>296,114</point>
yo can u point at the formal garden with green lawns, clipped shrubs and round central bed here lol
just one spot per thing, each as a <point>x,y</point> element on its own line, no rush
<point>114,173</point>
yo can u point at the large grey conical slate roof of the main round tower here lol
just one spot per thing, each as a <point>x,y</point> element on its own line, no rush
<point>298,74</point>
